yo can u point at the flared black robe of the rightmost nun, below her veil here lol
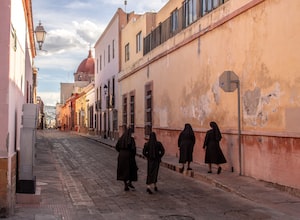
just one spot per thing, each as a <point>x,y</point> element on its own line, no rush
<point>213,153</point>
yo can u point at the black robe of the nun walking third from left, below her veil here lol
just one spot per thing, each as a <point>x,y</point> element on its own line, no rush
<point>186,142</point>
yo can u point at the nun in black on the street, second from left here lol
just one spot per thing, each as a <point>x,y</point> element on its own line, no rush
<point>153,151</point>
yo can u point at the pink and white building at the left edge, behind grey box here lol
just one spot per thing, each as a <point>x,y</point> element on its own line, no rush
<point>17,86</point>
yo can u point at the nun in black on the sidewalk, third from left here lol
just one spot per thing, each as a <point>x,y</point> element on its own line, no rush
<point>186,142</point>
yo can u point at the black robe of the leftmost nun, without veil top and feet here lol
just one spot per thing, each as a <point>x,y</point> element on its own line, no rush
<point>127,167</point>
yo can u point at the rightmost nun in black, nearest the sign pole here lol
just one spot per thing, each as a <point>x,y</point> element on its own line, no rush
<point>213,152</point>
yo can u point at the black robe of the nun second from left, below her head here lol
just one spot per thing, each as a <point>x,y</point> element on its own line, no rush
<point>153,162</point>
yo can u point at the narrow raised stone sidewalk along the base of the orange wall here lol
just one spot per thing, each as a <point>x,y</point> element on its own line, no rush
<point>246,187</point>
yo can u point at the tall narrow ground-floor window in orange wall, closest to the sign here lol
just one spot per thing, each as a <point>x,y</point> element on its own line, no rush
<point>148,109</point>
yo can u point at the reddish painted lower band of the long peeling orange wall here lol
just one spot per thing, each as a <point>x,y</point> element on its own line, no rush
<point>270,158</point>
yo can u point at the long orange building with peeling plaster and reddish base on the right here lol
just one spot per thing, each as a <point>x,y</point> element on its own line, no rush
<point>177,81</point>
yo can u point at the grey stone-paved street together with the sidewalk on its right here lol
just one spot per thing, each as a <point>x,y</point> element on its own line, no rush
<point>73,182</point>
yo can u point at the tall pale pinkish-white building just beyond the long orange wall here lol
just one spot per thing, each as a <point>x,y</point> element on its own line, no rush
<point>108,65</point>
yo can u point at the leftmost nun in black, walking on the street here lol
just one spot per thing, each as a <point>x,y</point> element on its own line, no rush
<point>127,167</point>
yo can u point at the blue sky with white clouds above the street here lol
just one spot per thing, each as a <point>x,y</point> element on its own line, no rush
<point>73,27</point>
